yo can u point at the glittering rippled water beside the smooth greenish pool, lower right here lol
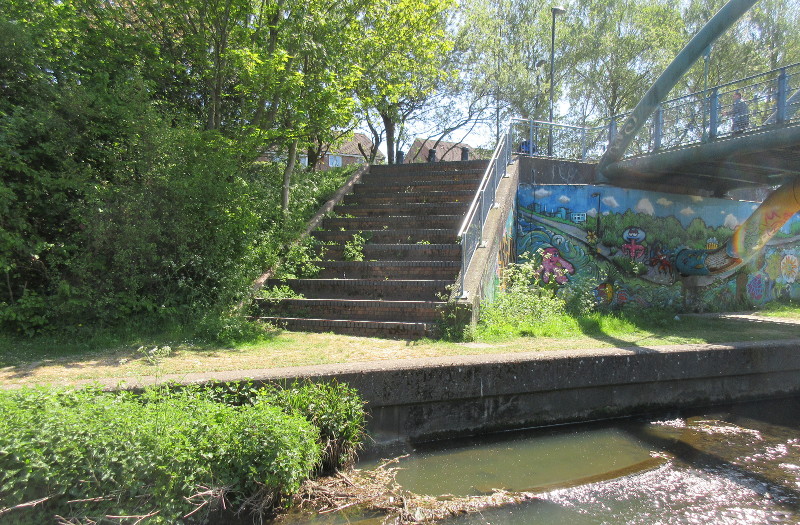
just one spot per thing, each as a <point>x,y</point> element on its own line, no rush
<point>738,465</point>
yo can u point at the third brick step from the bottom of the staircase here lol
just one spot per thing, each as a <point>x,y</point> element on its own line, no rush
<point>393,289</point>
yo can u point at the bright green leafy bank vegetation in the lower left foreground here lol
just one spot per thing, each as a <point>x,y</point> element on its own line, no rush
<point>169,454</point>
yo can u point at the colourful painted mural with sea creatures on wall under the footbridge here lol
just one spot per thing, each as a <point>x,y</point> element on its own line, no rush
<point>622,244</point>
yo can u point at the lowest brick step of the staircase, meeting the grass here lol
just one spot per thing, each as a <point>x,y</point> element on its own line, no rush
<point>383,329</point>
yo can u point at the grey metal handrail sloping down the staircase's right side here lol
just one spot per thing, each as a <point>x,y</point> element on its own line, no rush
<point>470,236</point>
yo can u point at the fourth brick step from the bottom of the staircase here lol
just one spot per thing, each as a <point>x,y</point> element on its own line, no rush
<point>389,269</point>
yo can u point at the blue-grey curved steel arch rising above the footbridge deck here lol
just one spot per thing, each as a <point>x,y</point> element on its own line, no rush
<point>719,23</point>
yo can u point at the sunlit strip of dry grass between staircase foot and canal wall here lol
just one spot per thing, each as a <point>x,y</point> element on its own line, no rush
<point>115,356</point>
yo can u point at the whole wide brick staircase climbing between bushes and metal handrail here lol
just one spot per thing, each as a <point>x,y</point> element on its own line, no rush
<point>409,216</point>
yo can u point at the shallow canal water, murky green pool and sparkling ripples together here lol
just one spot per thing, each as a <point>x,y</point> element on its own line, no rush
<point>736,464</point>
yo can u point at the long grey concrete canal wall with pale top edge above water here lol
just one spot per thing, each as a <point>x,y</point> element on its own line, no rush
<point>427,399</point>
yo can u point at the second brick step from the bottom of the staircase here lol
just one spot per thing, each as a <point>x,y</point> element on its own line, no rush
<point>352,309</point>
